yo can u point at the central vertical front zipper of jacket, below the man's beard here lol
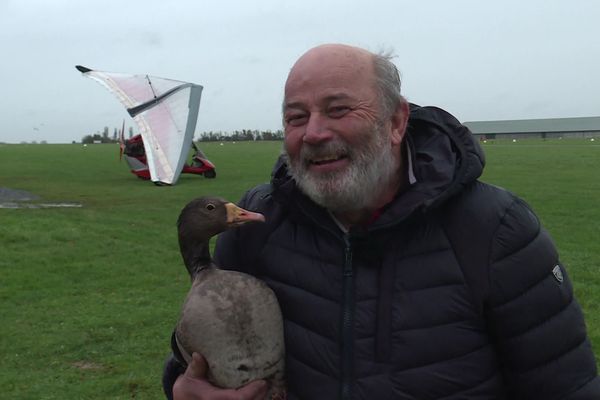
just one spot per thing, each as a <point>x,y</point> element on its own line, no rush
<point>347,323</point>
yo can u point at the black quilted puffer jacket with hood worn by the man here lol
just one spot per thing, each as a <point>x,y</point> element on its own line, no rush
<point>454,292</point>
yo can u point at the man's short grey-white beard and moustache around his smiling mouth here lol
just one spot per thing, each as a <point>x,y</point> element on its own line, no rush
<point>372,168</point>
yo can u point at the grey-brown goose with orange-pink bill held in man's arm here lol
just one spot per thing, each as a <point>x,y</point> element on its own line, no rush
<point>231,318</point>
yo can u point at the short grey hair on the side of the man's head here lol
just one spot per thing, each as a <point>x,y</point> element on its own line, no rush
<point>387,82</point>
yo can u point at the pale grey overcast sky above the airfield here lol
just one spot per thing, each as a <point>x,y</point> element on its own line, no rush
<point>480,60</point>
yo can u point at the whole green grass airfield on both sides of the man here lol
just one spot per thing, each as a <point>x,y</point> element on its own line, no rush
<point>89,296</point>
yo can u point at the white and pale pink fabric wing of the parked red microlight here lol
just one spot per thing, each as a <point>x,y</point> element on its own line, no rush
<point>165,112</point>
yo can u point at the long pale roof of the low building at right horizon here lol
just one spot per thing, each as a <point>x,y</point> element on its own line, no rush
<point>580,124</point>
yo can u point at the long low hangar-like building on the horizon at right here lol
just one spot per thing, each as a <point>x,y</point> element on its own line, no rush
<point>582,127</point>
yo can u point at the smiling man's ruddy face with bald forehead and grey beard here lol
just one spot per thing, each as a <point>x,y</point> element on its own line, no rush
<point>337,142</point>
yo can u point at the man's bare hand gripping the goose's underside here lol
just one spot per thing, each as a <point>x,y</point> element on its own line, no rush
<point>193,385</point>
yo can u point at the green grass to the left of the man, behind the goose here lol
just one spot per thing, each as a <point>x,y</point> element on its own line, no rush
<point>89,296</point>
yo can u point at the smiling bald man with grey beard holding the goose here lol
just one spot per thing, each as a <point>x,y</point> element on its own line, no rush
<point>399,274</point>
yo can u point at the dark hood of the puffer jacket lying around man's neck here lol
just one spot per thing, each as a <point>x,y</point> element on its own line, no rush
<point>445,157</point>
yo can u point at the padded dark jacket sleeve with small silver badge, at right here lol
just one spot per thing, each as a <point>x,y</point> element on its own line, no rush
<point>533,316</point>
